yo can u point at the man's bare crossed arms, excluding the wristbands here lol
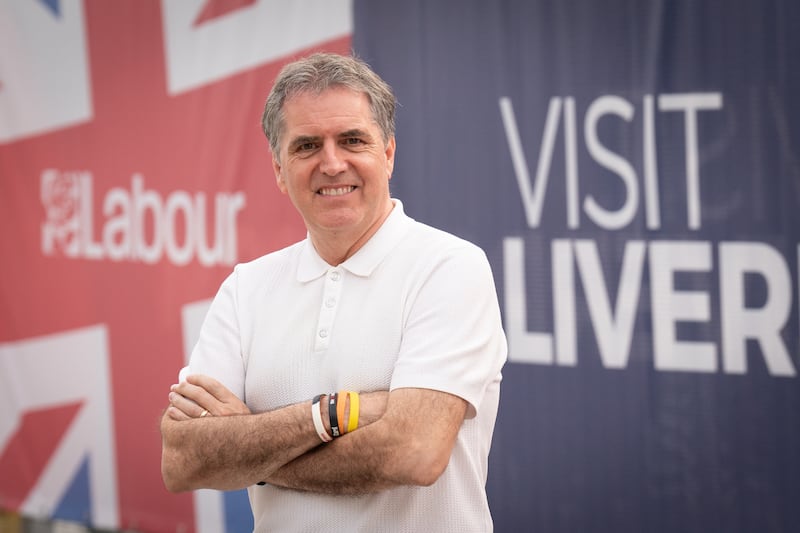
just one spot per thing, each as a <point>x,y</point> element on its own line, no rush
<point>394,444</point>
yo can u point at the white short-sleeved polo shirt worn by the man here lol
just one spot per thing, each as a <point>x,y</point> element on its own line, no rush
<point>414,307</point>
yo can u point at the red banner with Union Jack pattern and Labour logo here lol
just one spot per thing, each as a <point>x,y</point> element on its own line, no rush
<point>133,176</point>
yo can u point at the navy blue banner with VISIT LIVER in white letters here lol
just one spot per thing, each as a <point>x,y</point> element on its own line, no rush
<point>632,169</point>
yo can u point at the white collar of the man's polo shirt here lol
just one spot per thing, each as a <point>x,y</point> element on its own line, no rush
<point>365,260</point>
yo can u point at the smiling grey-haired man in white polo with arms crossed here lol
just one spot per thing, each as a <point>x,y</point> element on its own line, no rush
<point>371,302</point>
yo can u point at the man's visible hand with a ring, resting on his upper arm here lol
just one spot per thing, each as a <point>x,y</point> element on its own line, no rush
<point>200,396</point>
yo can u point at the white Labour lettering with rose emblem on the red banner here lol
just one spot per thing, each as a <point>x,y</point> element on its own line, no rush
<point>139,224</point>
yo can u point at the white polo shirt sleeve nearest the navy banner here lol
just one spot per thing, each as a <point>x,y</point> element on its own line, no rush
<point>453,340</point>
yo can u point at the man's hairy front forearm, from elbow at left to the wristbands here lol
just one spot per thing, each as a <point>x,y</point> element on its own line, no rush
<point>233,452</point>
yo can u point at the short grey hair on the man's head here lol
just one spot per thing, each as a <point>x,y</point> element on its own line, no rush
<point>319,72</point>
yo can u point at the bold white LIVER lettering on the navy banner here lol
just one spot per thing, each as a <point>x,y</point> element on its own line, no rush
<point>615,326</point>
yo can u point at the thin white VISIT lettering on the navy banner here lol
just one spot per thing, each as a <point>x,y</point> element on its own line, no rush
<point>533,194</point>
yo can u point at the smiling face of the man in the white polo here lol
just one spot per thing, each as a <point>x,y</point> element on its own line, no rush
<point>334,164</point>
